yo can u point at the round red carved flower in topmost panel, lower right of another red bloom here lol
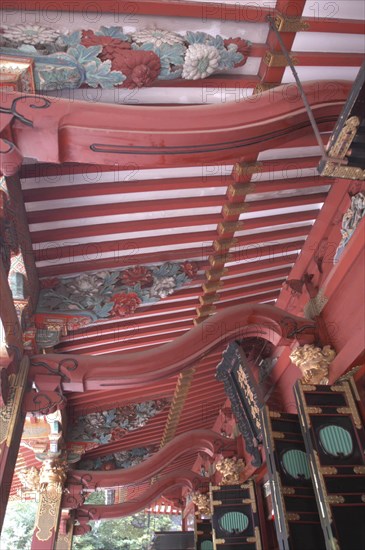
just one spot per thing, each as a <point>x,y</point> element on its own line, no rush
<point>140,67</point>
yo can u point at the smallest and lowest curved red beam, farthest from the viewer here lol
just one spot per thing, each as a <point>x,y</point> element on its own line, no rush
<point>182,478</point>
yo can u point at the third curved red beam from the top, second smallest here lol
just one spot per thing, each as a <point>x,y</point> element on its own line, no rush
<point>205,441</point>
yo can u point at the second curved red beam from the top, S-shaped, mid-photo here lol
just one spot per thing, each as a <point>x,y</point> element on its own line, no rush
<point>138,368</point>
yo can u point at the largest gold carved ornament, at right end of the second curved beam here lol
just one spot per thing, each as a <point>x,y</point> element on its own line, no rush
<point>313,362</point>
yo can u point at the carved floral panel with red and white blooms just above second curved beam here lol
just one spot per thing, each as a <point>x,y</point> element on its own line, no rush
<point>108,294</point>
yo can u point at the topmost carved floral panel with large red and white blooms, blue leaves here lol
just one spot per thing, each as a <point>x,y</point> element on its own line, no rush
<point>110,57</point>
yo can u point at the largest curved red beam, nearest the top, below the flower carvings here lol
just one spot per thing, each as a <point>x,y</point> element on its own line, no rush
<point>67,131</point>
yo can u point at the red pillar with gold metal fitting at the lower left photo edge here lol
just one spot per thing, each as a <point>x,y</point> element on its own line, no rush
<point>12,419</point>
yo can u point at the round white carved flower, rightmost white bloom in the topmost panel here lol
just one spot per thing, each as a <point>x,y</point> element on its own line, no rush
<point>201,60</point>
